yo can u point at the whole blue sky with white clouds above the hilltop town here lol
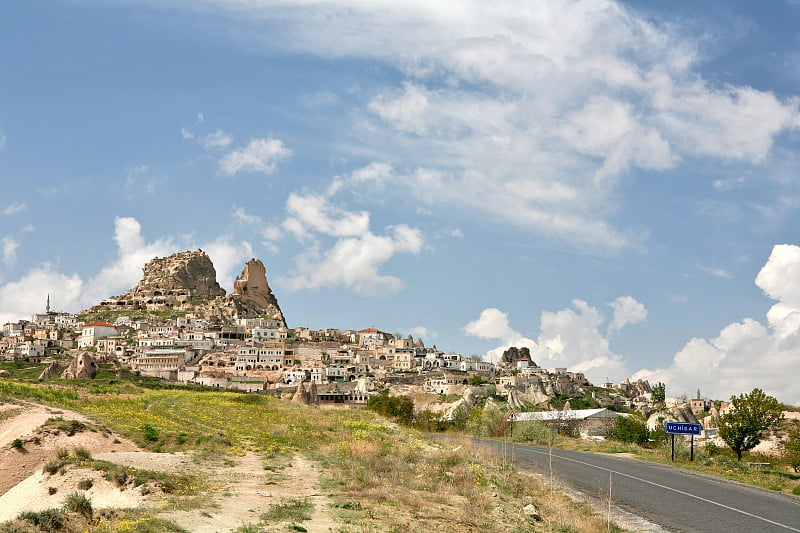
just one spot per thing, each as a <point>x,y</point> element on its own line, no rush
<point>610,184</point>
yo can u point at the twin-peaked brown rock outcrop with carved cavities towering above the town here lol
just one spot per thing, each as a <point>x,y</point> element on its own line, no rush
<point>186,282</point>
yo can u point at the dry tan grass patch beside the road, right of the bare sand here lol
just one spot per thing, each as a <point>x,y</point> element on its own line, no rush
<point>400,482</point>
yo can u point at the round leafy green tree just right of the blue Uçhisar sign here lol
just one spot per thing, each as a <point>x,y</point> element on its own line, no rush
<point>751,417</point>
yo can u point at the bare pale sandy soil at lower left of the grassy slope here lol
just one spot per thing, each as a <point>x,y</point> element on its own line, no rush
<point>243,489</point>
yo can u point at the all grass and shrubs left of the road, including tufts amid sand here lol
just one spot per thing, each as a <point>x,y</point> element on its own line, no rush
<point>378,474</point>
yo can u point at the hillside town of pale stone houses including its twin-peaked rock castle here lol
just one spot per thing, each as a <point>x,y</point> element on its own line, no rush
<point>179,325</point>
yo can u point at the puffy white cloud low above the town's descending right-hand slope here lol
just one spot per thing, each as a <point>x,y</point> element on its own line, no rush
<point>568,338</point>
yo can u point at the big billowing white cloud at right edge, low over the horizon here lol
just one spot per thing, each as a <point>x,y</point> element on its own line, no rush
<point>748,353</point>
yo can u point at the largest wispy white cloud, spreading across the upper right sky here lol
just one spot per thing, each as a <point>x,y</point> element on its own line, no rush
<point>529,116</point>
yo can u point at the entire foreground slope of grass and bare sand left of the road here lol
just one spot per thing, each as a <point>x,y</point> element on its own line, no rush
<point>184,460</point>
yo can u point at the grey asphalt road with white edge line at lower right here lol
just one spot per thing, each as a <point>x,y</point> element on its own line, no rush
<point>673,498</point>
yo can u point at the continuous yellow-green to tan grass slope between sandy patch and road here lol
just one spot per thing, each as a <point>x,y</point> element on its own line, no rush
<point>381,477</point>
